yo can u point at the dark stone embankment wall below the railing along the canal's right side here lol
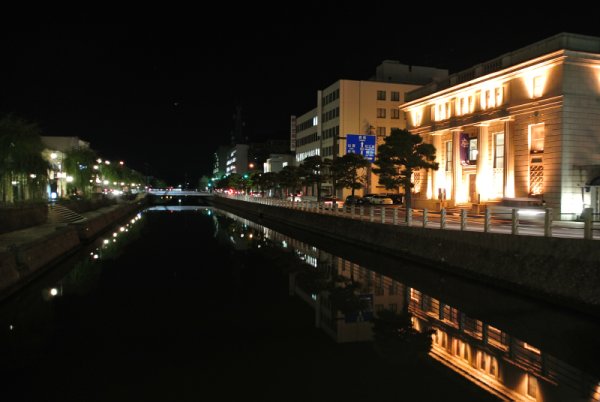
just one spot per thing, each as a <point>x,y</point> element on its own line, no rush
<point>559,270</point>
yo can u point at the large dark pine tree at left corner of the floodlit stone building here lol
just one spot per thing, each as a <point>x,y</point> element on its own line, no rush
<point>401,155</point>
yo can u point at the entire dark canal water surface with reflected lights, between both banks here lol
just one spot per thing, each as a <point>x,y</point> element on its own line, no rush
<point>188,303</point>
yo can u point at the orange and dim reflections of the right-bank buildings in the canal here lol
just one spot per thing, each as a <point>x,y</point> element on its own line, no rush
<point>504,365</point>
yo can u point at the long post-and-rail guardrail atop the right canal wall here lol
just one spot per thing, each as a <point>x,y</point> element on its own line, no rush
<point>509,223</point>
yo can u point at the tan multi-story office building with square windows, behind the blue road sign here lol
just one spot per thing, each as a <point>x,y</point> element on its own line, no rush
<point>358,107</point>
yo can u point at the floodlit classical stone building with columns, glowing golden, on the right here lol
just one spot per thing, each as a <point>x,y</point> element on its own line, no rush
<point>524,125</point>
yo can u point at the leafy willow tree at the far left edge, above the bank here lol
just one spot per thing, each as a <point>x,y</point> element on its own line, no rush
<point>21,160</point>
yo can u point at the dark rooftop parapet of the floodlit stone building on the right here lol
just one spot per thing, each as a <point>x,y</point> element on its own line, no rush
<point>561,41</point>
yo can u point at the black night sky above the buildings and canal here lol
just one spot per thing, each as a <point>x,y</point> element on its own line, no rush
<point>158,87</point>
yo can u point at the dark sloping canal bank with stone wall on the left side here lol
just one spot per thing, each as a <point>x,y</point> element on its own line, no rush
<point>26,253</point>
